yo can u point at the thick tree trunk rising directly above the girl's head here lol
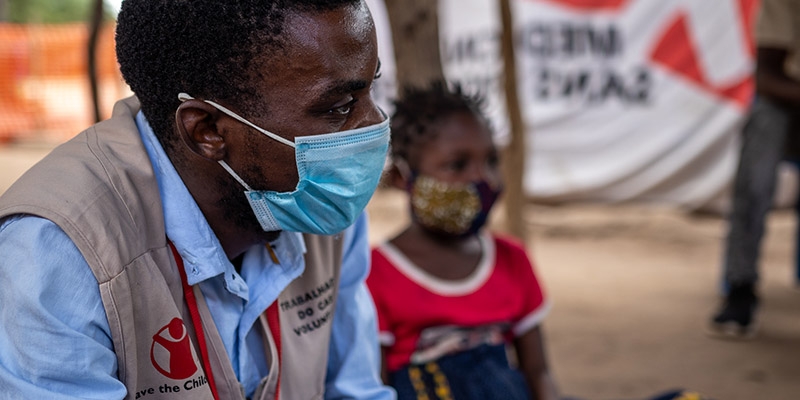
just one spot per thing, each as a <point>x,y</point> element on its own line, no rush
<point>415,35</point>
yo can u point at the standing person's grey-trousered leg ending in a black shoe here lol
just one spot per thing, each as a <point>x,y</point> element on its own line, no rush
<point>763,141</point>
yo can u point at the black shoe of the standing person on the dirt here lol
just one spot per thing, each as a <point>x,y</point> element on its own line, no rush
<point>737,318</point>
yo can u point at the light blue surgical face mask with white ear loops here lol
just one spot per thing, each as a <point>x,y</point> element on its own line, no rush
<point>338,174</point>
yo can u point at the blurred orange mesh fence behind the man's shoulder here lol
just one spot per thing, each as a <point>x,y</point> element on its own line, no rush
<point>44,85</point>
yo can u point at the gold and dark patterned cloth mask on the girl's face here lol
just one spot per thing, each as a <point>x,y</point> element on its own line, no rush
<point>456,209</point>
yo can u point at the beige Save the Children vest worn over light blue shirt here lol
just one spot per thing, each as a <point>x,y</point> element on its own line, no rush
<point>100,189</point>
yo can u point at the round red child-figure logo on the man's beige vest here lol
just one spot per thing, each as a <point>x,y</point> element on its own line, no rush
<point>171,352</point>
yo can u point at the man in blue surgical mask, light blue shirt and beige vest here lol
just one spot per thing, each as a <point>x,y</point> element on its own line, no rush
<point>211,242</point>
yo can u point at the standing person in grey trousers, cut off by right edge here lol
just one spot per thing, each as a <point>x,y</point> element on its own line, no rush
<point>769,135</point>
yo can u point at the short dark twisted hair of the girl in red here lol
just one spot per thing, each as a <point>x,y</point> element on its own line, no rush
<point>419,110</point>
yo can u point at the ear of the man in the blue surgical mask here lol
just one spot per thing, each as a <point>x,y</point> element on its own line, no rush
<point>196,123</point>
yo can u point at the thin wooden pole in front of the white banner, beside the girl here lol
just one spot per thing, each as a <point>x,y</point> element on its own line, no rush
<point>513,160</point>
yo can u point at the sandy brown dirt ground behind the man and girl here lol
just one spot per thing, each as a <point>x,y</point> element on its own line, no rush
<point>633,287</point>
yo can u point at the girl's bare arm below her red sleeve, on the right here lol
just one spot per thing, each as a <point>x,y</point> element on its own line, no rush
<point>533,364</point>
